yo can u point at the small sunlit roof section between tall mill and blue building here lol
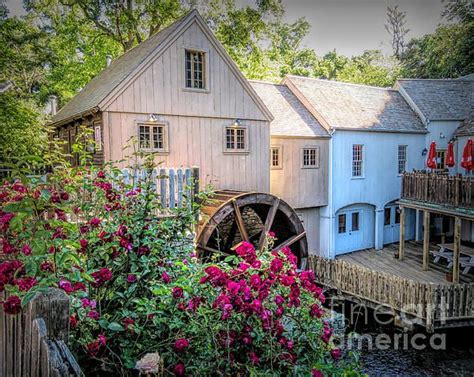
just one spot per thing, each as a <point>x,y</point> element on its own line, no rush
<point>291,118</point>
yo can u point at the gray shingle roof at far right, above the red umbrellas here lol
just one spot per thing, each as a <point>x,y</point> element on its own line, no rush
<point>441,99</point>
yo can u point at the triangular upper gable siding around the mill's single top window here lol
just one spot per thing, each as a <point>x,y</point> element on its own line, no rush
<point>160,87</point>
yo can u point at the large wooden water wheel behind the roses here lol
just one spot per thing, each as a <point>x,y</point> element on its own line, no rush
<point>231,217</point>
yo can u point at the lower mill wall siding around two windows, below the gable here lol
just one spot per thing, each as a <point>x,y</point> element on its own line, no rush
<point>199,141</point>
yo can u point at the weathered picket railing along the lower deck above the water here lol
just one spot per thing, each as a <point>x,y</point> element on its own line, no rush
<point>435,305</point>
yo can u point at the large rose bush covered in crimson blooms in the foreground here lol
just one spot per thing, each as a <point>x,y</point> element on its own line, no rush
<point>136,286</point>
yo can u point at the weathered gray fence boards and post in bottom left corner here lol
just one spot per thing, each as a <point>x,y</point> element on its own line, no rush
<point>32,343</point>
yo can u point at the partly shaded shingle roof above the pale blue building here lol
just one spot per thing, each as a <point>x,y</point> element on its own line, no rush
<point>355,107</point>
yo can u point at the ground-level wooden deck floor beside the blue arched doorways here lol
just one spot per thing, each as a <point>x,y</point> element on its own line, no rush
<point>409,268</point>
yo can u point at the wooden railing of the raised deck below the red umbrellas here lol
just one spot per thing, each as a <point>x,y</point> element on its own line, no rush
<point>451,190</point>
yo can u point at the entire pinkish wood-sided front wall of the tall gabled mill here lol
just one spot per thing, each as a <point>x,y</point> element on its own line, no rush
<point>196,120</point>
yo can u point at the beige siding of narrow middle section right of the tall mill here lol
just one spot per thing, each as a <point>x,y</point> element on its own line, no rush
<point>300,187</point>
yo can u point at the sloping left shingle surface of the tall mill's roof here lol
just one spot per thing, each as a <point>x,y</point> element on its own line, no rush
<point>107,80</point>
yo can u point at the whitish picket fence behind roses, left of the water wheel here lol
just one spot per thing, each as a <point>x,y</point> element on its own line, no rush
<point>172,185</point>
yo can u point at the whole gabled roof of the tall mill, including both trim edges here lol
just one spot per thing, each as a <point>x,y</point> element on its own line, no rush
<point>114,78</point>
